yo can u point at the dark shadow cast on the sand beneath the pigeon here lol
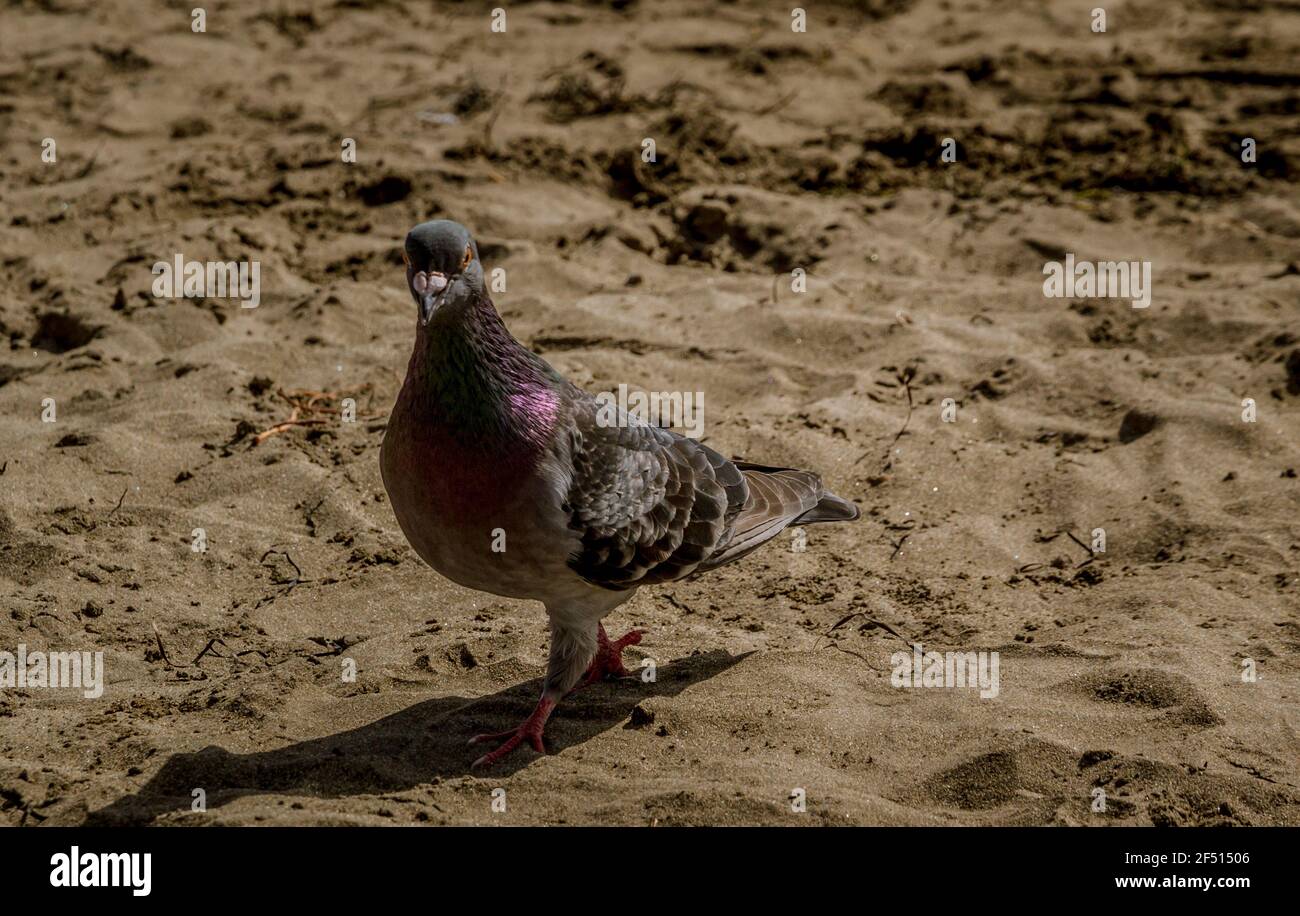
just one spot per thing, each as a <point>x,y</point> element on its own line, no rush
<point>400,752</point>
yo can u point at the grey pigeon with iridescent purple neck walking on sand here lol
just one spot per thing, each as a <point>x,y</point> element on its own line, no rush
<point>508,479</point>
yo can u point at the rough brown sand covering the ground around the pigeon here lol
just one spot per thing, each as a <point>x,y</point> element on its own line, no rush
<point>1121,672</point>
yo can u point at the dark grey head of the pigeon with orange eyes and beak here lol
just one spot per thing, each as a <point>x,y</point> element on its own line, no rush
<point>443,268</point>
